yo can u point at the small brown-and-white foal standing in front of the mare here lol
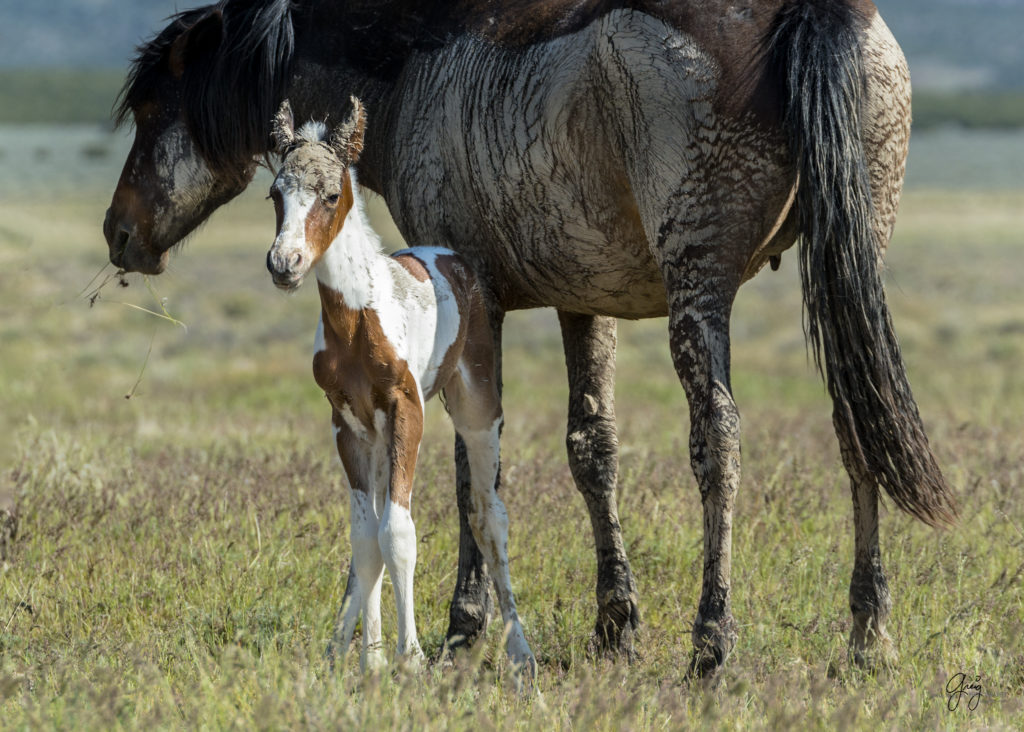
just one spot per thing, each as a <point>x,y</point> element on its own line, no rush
<point>394,332</point>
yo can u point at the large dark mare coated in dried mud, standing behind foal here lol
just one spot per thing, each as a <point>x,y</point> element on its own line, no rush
<point>608,158</point>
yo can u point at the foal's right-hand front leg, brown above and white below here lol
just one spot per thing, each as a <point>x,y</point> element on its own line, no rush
<point>397,536</point>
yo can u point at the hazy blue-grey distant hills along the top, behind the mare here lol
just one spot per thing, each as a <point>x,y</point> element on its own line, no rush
<point>952,45</point>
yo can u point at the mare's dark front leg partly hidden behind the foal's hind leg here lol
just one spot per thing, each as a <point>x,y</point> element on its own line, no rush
<point>471,608</point>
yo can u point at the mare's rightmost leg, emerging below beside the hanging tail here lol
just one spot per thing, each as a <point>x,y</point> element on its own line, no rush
<point>870,600</point>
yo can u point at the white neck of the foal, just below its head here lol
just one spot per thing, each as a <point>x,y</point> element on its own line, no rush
<point>355,266</point>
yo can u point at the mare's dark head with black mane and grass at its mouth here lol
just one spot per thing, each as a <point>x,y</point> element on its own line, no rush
<point>201,95</point>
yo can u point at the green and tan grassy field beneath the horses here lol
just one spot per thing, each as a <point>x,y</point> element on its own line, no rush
<point>181,553</point>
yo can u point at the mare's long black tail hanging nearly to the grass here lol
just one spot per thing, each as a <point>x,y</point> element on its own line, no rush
<point>815,54</point>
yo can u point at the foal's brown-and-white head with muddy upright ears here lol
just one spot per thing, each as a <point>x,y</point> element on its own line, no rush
<point>313,193</point>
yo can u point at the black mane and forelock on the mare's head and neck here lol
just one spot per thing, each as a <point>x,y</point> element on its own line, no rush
<point>242,81</point>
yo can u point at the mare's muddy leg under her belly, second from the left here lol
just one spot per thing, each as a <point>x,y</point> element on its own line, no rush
<point>593,449</point>
